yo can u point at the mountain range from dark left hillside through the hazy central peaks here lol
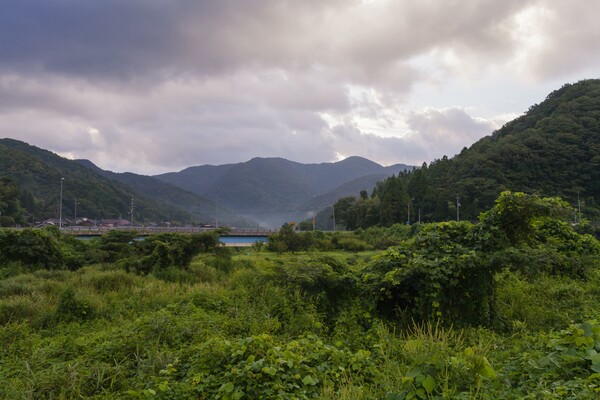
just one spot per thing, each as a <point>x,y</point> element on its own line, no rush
<point>269,191</point>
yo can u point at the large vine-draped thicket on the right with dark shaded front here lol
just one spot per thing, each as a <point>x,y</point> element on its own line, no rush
<point>448,270</point>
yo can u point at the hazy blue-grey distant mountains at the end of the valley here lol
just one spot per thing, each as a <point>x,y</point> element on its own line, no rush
<point>276,190</point>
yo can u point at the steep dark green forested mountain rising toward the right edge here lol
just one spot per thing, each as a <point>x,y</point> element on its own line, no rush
<point>552,150</point>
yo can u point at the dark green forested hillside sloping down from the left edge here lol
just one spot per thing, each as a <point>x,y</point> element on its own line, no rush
<point>36,175</point>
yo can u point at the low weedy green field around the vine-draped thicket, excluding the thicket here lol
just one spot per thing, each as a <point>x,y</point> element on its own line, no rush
<point>254,325</point>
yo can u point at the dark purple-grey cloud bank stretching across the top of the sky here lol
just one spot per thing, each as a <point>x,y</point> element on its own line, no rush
<point>113,39</point>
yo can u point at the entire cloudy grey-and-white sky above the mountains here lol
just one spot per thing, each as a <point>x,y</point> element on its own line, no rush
<point>151,86</point>
